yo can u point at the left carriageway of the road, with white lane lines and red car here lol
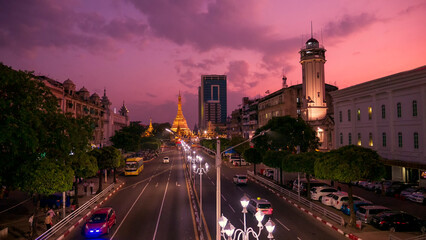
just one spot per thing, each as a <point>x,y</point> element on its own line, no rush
<point>153,205</point>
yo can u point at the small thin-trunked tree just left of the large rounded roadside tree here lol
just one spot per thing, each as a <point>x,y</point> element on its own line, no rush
<point>303,162</point>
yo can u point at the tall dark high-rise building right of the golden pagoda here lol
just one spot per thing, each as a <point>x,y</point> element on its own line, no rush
<point>212,101</point>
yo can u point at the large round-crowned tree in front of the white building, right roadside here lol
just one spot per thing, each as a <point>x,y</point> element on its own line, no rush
<point>347,164</point>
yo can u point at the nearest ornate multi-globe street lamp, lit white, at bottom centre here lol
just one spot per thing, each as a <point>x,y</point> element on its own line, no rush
<point>243,234</point>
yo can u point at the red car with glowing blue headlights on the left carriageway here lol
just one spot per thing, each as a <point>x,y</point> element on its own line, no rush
<point>100,222</point>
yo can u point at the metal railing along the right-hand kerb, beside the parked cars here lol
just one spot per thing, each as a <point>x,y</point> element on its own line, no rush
<point>303,201</point>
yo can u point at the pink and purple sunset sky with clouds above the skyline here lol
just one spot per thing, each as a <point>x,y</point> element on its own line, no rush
<point>143,52</point>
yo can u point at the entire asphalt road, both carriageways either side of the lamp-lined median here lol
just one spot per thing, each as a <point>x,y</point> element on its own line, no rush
<point>156,205</point>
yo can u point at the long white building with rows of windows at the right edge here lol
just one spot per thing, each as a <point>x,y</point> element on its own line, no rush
<point>387,115</point>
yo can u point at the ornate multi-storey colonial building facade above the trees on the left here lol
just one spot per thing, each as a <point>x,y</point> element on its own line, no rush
<point>81,103</point>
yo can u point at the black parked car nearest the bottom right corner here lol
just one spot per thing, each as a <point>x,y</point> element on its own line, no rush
<point>398,221</point>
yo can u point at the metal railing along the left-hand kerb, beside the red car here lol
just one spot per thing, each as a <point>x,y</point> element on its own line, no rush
<point>65,221</point>
